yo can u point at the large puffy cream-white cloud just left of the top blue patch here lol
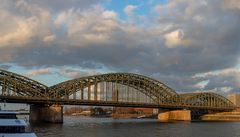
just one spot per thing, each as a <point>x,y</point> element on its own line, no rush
<point>89,26</point>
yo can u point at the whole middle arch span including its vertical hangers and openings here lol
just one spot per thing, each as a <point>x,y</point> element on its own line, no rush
<point>156,91</point>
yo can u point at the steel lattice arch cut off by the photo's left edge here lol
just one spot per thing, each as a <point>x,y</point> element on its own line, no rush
<point>13,84</point>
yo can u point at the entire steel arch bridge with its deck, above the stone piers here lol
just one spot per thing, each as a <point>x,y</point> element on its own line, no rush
<point>113,89</point>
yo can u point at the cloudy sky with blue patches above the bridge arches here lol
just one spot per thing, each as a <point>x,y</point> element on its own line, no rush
<point>189,45</point>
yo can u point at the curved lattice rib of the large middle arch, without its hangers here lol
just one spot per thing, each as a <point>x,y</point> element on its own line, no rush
<point>157,91</point>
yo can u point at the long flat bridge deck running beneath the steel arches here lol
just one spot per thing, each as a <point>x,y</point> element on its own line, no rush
<point>12,99</point>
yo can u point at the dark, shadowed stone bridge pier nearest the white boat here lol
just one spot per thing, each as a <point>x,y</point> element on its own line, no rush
<point>42,113</point>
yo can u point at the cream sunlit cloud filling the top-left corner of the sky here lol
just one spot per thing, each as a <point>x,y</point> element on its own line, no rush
<point>18,30</point>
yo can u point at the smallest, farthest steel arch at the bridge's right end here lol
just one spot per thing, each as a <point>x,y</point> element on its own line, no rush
<point>206,100</point>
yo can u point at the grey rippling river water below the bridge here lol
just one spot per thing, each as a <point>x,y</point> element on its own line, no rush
<point>109,127</point>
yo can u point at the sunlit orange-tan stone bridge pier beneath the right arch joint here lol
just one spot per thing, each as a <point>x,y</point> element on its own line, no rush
<point>174,115</point>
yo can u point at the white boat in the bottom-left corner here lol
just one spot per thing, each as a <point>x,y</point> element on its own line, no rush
<point>10,126</point>
